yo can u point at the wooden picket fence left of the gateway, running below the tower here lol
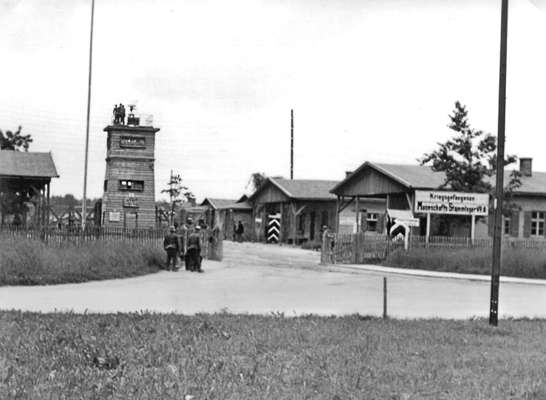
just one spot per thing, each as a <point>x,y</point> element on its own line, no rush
<point>211,240</point>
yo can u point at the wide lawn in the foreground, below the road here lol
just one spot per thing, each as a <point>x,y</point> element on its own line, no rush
<point>150,356</point>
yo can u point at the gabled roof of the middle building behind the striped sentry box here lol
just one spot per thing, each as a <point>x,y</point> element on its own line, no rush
<point>301,189</point>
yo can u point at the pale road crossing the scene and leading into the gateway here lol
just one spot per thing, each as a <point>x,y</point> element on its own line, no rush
<point>257,278</point>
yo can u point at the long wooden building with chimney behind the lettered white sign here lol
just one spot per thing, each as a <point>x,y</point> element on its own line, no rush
<point>398,183</point>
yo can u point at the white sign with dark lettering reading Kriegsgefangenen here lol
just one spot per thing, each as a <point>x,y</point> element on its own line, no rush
<point>460,203</point>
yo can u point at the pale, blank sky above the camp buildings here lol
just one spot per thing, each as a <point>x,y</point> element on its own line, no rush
<point>367,80</point>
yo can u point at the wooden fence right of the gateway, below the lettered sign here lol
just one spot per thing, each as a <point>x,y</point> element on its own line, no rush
<point>364,248</point>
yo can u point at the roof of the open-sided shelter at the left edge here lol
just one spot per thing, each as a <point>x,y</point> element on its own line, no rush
<point>27,164</point>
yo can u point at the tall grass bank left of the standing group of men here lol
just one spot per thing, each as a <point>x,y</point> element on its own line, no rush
<point>31,262</point>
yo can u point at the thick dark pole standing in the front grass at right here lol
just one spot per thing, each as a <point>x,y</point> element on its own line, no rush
<point>497,232</point>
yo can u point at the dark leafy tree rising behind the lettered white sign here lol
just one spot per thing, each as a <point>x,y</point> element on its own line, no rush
<point>468,160</point>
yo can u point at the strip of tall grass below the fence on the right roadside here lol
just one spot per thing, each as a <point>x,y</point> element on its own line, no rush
<point>524,263</point>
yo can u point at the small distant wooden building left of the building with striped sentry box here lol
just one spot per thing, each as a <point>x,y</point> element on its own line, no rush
<point>225,213</point>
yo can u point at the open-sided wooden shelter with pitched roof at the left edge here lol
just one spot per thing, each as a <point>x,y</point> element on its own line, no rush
<point>28,174</point>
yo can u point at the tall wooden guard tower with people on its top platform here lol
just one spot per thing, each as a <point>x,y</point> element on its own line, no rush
<point>129,187</point>
